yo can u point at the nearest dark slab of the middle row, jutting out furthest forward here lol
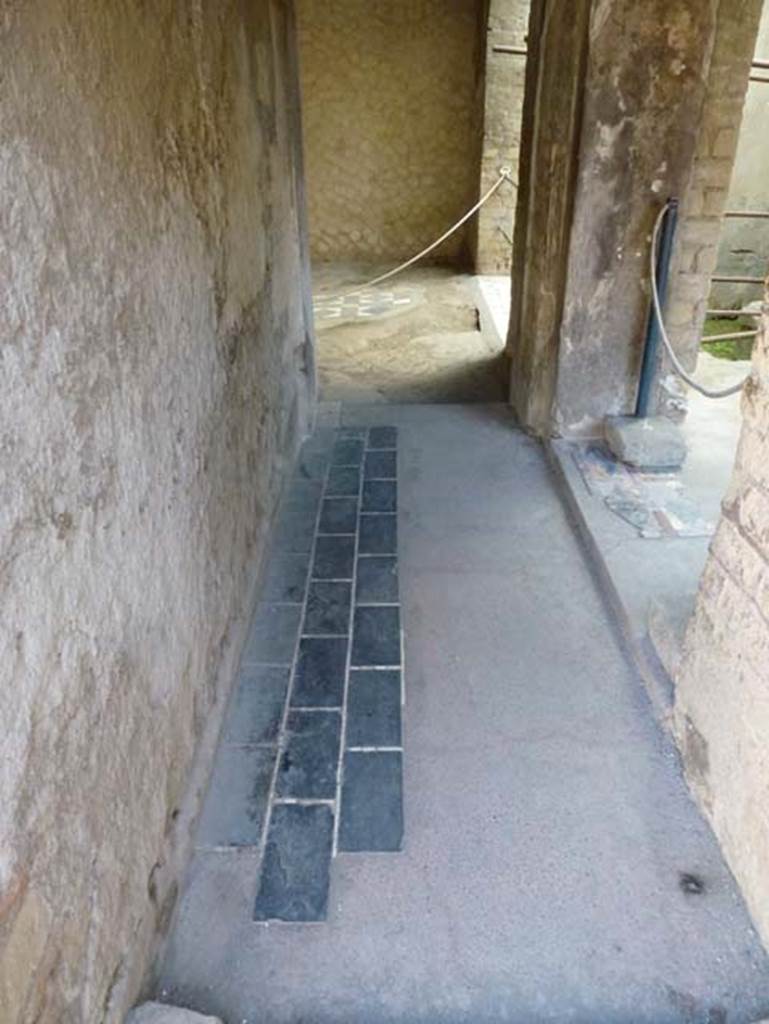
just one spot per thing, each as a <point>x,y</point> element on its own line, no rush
<point>297,859</point>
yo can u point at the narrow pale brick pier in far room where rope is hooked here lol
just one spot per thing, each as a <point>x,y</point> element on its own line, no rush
<point>503,103</point>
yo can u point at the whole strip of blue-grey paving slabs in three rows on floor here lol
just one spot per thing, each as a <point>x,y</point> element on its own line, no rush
<point>312,757</point>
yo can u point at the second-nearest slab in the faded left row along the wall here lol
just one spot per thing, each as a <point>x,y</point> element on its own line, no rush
<point>257,709</point>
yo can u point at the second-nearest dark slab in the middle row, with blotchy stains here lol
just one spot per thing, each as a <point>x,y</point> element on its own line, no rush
<point>311,759</point>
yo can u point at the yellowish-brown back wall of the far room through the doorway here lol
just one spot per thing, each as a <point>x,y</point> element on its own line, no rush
<point>391,112</point>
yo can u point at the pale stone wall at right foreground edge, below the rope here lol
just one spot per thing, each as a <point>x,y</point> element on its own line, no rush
<point>722,705</point>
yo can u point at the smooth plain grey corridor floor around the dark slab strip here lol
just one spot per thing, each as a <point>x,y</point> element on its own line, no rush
<point>553,867</point>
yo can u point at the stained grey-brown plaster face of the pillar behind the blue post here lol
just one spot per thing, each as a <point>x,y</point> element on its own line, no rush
<point>645,93</point>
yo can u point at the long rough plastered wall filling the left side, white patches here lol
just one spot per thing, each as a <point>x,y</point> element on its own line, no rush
<point>156,376</point>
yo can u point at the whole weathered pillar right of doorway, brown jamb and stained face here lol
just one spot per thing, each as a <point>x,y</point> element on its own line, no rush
<point>655,76</point>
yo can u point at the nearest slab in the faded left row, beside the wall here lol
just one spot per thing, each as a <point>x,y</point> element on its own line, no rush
<point>236,804</point>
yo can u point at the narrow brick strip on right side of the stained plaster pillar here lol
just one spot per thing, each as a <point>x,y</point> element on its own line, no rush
<point>705,196</point>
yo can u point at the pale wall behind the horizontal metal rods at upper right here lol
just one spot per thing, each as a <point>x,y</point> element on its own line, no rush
<point>744,249</point>
